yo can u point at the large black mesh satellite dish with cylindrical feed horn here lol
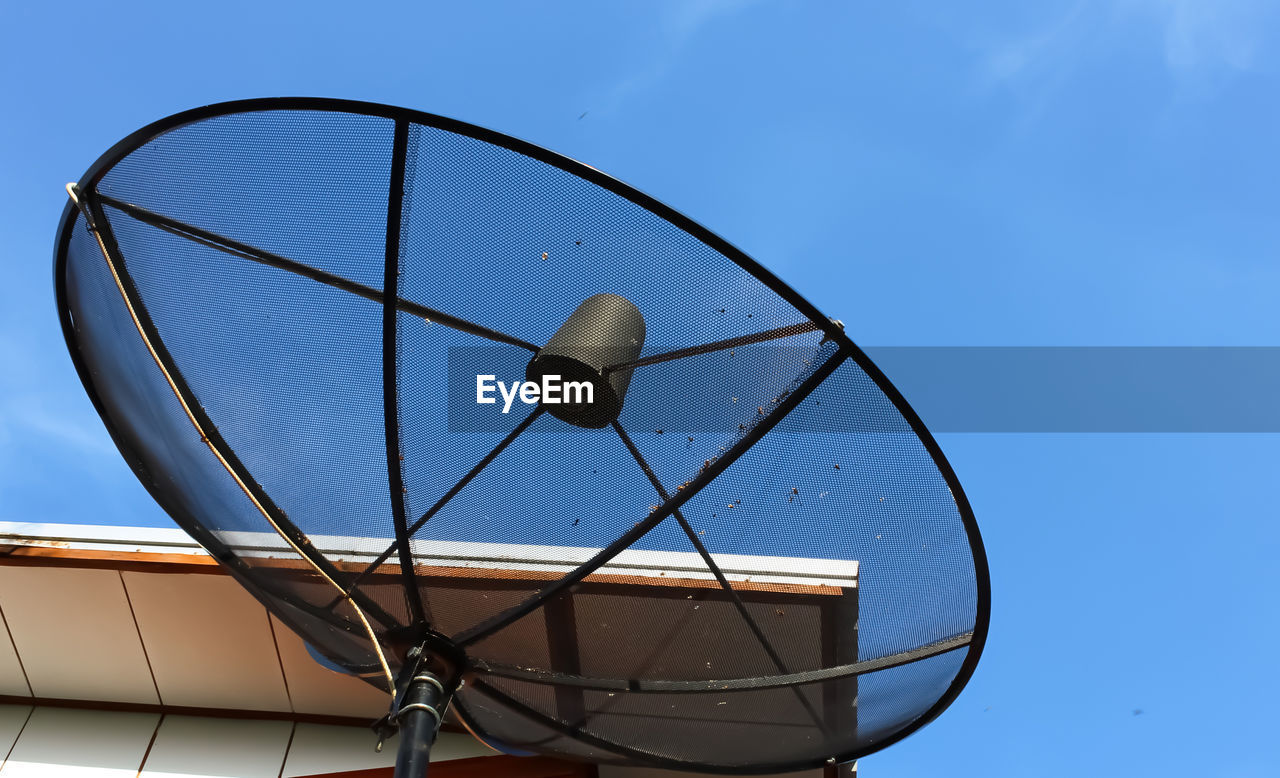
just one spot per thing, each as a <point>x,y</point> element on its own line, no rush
<point>732,547</point>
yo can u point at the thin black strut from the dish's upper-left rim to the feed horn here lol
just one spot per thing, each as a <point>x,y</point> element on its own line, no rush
<point>275,260</point>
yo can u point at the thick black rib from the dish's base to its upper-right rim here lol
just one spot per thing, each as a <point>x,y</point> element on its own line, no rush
<point>501,620</point>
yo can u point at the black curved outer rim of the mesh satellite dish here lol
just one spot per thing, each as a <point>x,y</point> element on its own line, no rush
<point>833,332</point>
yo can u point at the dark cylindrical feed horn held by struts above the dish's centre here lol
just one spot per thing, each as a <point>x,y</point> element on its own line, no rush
<point>605,332</point>
